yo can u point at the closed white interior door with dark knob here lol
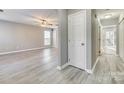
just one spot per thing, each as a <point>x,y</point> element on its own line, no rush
<point>77,39</point>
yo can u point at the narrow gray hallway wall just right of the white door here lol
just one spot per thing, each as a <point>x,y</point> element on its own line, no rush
<point>95,38</point>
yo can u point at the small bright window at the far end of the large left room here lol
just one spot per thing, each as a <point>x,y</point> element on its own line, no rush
<point>47,38</point>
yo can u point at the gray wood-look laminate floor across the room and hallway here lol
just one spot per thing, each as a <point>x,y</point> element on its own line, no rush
<point>35,67</point>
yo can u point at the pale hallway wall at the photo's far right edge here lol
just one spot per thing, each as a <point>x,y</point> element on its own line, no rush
<point>121,38</point>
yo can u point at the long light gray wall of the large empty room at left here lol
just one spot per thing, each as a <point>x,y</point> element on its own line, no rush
<point>14,37</point>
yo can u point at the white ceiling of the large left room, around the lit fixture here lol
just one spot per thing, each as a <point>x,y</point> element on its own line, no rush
<point>30,16</point>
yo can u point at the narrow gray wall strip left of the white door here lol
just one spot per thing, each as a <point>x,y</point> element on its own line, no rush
<point>63,36</point>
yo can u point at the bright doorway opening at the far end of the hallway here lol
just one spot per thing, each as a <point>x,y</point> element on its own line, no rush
<point>108,40</point>
